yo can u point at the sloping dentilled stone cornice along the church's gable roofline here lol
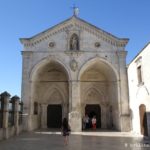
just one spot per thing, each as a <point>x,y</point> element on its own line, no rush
<point>74,22</point>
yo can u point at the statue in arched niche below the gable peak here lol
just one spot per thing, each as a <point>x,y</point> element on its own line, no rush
<point>74,42</point>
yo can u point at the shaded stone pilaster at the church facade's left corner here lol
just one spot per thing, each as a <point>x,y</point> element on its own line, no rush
<point>26,90</point>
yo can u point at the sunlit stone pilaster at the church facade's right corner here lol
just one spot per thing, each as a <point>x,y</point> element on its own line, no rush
<point>124,94</point>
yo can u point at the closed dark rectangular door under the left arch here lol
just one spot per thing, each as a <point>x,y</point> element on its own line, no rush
<point>54,116</point>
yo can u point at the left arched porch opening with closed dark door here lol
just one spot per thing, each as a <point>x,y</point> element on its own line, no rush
<point>50,90</point>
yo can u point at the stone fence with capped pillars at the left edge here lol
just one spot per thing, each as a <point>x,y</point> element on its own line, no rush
<point>11,115</point>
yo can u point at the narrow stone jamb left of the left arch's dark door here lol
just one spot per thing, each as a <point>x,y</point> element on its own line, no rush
<point>44,116</point>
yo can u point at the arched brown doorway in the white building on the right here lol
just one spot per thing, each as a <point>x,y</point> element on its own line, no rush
<point>143,120</point>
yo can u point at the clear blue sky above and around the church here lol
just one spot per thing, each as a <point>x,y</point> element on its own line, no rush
<point>25,18</point>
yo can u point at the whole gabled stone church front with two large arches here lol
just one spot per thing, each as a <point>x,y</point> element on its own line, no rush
<point>73,69</point>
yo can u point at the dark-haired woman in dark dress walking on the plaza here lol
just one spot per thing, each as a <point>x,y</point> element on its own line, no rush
<point>65,130</point>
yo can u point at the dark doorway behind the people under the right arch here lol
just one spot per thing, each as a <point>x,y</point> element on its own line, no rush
<point>94,110</point>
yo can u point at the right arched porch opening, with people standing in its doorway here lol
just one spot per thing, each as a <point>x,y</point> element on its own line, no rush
<point>99,93</point>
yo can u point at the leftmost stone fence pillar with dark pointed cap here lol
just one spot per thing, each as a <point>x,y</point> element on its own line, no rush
<point>5,98</point>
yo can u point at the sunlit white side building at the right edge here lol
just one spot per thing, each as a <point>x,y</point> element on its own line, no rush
<point>139,87</point>
